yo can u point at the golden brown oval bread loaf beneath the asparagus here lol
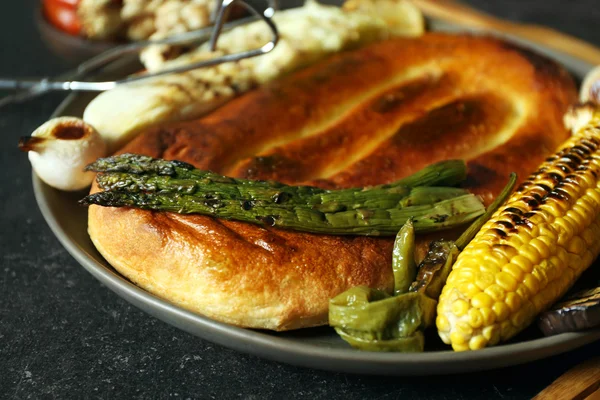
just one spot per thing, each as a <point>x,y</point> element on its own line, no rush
<point>360,118</point>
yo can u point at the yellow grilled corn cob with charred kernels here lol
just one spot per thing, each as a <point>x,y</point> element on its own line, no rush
<point>531,251</point>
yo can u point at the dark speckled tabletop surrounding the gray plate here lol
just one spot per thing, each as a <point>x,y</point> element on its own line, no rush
<point>64,335</point>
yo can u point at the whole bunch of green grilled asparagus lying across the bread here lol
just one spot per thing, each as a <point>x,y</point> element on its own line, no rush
<point>146,183</point>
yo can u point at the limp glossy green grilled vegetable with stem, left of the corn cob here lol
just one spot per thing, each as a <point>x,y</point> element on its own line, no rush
<point>370,319</point>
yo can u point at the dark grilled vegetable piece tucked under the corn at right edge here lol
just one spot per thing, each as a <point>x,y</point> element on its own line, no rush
<point>577,312</point>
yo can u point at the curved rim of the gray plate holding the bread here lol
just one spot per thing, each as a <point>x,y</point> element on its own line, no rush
<point>293,352</point>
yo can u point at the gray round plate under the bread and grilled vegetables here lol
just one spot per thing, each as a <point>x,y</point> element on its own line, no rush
<point>316,348</point>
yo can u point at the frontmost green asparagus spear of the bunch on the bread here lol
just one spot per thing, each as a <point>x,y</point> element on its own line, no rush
<point>330,218</point>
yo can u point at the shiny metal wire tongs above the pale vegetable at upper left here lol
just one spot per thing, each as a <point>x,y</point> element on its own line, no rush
<point>74,80</point>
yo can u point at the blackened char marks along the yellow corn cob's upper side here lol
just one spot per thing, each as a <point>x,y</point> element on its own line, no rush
<point>559,171</point>
